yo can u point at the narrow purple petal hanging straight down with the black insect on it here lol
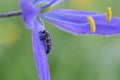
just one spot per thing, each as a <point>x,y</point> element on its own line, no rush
<point>40,56</point>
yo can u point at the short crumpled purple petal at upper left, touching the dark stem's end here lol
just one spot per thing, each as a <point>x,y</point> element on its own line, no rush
<point>29,12</point>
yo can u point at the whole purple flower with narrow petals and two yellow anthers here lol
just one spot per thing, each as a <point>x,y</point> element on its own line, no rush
<point>72,21</point>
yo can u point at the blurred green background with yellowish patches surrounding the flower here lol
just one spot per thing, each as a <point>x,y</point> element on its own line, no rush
<point>72,58</point>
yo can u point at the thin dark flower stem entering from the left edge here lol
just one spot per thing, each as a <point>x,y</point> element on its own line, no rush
<point>11,14</point>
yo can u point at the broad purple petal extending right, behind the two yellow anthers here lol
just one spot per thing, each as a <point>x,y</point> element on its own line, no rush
<point>76,22</point>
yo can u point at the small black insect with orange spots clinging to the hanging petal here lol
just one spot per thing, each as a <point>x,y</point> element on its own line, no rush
<point>46,37</point>
